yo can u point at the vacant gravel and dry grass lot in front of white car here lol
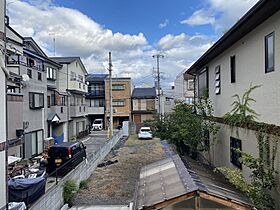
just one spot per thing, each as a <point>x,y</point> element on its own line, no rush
<point>115,184</point>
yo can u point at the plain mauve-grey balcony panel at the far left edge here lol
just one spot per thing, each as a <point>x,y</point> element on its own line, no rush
<point>15,114</point>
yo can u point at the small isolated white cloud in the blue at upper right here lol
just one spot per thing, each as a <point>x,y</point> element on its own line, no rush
<point>199,17</point>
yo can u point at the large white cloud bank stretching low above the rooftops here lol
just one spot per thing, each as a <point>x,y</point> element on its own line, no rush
<point>78,35</point>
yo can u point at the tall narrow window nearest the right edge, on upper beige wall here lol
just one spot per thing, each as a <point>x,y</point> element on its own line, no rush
<point>269,53</point>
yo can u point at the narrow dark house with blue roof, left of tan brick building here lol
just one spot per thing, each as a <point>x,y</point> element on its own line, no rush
<point>95,98</point>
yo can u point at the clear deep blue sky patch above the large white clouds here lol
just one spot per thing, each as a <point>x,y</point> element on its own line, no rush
<point>135,16</point>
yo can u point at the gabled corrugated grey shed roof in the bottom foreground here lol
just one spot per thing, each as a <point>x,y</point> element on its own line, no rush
<point>171,178</point>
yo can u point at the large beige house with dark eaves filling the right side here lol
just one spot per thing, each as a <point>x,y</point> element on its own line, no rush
<point>248,53</point>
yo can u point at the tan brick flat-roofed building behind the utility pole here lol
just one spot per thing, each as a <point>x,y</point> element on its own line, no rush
<point>121,94</point>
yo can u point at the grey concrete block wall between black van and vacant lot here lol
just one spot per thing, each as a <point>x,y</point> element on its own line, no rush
<point>53,198</point>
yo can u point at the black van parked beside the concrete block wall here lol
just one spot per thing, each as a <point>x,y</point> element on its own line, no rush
<point>64,157</point>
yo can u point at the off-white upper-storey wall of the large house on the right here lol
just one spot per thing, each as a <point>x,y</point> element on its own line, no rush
<point>250,68</point>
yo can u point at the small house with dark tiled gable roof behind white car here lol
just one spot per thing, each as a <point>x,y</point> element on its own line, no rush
<point>143,104</point>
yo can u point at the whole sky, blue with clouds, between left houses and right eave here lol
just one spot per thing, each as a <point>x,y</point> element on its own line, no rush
<point>133,30</point>
